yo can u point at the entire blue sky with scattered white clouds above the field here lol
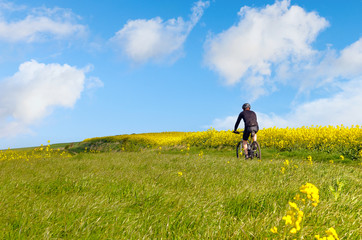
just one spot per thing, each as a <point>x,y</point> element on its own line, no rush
<point>71,70</point>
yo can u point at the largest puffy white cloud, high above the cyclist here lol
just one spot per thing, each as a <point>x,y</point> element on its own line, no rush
<point>263,39</point>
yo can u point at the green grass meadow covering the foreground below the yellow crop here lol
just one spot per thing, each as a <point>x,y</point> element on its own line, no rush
<point>141,195</point>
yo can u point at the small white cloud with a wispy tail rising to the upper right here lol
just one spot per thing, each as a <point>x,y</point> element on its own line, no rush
<point>142,40</point>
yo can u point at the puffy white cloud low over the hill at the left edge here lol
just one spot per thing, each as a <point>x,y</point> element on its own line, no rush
<point>34,91</point>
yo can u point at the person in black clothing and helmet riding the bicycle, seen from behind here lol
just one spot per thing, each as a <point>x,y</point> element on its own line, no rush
<point>250,125</point>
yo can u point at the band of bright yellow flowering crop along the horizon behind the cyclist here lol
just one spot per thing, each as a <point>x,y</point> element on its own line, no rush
<point>337,139</point>
